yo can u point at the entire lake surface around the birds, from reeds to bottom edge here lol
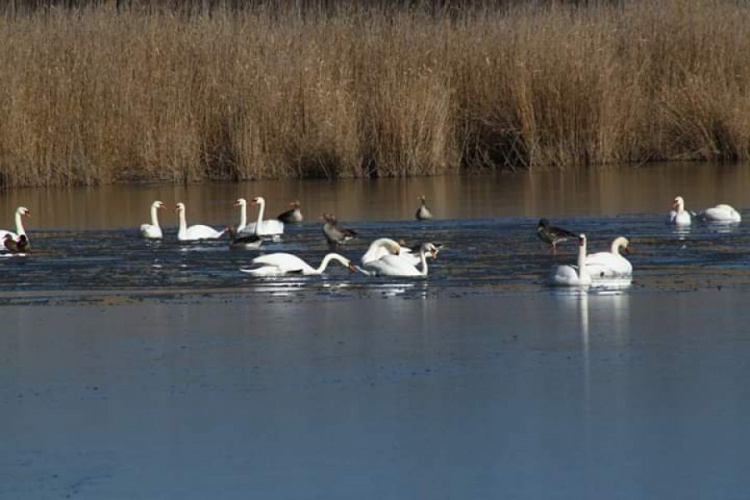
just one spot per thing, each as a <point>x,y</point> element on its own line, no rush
<point>133,369</point>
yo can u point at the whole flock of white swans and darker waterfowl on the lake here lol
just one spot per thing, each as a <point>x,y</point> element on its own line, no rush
<point>384,256</point>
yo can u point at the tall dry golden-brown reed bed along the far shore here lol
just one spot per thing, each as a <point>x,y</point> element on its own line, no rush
<point>124,91</point>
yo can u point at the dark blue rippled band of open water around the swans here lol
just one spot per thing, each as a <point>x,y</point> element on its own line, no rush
<point>479,256</point>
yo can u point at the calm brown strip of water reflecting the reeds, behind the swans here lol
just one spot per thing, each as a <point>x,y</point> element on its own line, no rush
<point>603,192</point>
